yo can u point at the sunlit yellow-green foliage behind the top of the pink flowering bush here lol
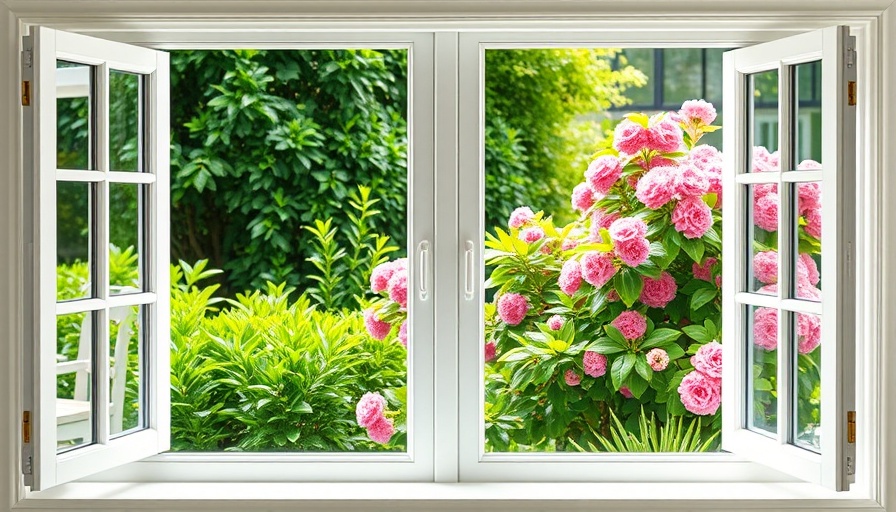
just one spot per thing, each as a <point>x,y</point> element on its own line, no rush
<point>539,109</point>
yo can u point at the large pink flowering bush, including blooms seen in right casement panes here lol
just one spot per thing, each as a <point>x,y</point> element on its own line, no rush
<point>620,310</point>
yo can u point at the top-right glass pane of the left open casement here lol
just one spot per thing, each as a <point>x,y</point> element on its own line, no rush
<point>125,121</point>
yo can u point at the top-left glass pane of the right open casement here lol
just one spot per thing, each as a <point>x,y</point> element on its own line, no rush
<point>764,121</point>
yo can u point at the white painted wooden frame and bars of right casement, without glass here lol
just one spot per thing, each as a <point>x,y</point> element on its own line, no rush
<point>838,341</point>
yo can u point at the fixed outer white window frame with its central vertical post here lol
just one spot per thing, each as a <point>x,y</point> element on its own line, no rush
<point>877,445</point>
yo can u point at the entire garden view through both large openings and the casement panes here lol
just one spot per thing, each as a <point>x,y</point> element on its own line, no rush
<point>289,274</point>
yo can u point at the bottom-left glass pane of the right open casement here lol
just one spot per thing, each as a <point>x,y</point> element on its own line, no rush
<point>762,354</point>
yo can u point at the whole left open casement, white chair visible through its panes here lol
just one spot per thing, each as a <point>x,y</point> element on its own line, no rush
<point>98,393</point>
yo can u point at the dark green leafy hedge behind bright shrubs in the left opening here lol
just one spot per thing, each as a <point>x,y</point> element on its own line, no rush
<point>263,142</point>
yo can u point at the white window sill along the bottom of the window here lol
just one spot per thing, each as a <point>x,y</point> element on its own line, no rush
<point>448,496</point>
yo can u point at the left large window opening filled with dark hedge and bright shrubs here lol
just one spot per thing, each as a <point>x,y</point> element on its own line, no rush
<point>290,211</point>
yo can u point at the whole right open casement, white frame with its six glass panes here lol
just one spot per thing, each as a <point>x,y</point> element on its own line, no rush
<point>788,308</point>
